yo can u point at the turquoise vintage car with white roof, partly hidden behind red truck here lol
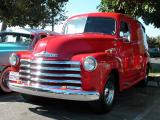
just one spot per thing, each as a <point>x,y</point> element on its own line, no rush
<point>13,41</point>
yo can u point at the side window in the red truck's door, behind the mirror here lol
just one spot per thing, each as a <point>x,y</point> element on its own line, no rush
<point>124,31</point>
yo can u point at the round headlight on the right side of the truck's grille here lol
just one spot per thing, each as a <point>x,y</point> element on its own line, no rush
<point>90,63</point>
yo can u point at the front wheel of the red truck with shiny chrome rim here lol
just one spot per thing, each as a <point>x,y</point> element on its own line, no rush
<point>105,102</point>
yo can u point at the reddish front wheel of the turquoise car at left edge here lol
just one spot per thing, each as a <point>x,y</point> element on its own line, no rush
<point>4,79</point>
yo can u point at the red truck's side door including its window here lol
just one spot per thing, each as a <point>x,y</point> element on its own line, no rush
<point>127,52</point>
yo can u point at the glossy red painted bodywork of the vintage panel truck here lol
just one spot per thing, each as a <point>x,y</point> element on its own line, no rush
<point>111,52</point>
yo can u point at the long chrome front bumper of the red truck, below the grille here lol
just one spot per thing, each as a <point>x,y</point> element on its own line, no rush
<point>50,92</point>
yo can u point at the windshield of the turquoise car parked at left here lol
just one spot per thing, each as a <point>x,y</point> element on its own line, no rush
<point>24,39</point>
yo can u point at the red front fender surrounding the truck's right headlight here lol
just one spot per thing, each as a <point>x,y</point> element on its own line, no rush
<point>96,80</point>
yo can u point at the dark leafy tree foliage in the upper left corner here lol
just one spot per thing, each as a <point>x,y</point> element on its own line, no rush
<point>31,12</point>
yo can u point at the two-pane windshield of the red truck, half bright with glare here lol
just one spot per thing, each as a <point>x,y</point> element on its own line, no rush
<point>90,24</point>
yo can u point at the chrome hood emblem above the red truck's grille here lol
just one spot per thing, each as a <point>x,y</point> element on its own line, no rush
<point>45,54</point>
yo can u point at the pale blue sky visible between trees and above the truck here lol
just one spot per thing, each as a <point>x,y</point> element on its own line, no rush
<point>75,7</point>
